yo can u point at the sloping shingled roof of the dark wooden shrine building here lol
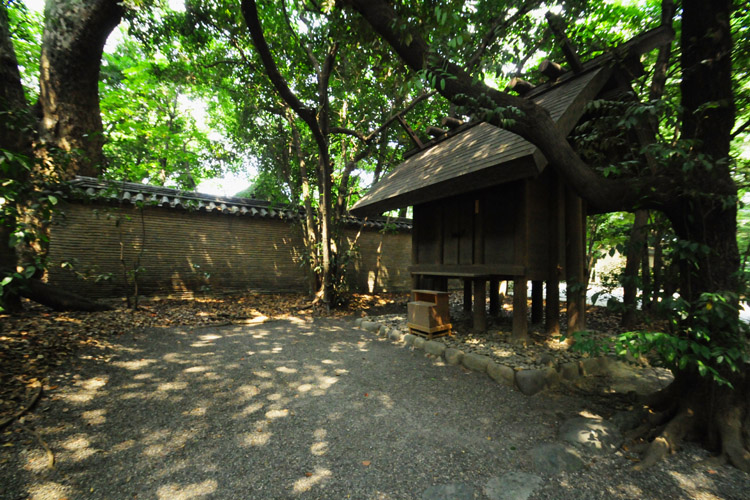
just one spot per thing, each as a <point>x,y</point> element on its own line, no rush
<point>483,155</point>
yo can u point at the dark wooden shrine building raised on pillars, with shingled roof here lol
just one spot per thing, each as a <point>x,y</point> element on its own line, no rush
<point>487,208</point>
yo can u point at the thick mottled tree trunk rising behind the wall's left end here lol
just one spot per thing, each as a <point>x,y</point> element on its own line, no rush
<point>74,36</point>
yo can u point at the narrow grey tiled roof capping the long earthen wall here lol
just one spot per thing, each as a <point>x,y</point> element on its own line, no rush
<point>90,188</point>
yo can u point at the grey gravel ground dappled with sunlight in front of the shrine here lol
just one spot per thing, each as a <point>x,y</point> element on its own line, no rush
<point>309,409</point>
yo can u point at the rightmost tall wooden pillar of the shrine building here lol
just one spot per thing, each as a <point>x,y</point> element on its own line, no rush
<point>574,262</point>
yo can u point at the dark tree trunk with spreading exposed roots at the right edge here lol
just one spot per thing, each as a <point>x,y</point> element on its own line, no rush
<point>702,407</point>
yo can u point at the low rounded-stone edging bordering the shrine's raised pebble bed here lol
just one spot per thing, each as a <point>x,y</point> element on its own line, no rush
<point>528,381</point>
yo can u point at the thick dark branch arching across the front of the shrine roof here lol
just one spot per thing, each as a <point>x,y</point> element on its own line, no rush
<point>534,123</point>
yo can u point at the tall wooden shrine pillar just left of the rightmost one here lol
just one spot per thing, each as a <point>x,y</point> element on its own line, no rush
<point>555,252</point>
